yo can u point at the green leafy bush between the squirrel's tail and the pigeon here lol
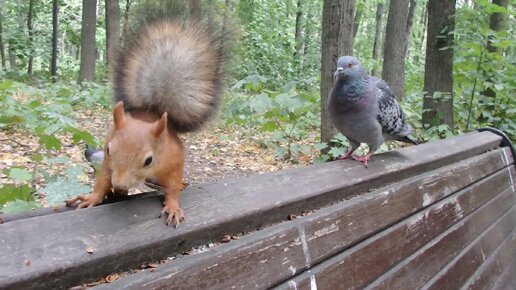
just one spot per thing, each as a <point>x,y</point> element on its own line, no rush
<point>287,114</point>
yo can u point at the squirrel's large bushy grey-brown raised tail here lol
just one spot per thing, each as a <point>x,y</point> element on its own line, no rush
<point>174,68</point>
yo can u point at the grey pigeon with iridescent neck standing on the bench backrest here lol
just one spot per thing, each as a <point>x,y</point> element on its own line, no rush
<point>363,108</point>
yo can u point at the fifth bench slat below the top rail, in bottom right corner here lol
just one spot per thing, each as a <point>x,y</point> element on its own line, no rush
<point>485,277</point>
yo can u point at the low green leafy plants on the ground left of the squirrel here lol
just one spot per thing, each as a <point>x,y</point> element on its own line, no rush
<point>45,113</point>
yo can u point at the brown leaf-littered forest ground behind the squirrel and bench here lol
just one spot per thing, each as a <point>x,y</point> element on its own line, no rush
<point>214,153</point>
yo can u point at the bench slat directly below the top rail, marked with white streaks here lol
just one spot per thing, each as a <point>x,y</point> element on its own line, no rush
<point>262,259</point>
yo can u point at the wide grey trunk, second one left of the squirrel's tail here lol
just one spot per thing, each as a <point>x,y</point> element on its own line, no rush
<point>87,70</point>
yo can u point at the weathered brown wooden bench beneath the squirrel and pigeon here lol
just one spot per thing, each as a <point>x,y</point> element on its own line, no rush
<point>441,215</point>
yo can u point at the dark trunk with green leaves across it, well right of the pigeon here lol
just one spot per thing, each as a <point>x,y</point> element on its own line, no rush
<point>438,87</point>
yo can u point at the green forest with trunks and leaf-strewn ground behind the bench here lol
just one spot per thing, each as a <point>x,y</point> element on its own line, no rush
<point>451,64</point>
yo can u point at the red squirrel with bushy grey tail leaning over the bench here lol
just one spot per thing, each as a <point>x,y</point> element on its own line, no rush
<point>167,81</point>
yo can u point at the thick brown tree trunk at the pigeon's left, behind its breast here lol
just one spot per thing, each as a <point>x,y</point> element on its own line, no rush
<point>337,40</point>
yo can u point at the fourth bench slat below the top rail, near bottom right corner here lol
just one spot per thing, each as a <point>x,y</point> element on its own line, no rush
<point>458,271</point>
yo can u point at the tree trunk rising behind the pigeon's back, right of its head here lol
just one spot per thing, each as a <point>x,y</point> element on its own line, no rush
<point>394,47</point>
